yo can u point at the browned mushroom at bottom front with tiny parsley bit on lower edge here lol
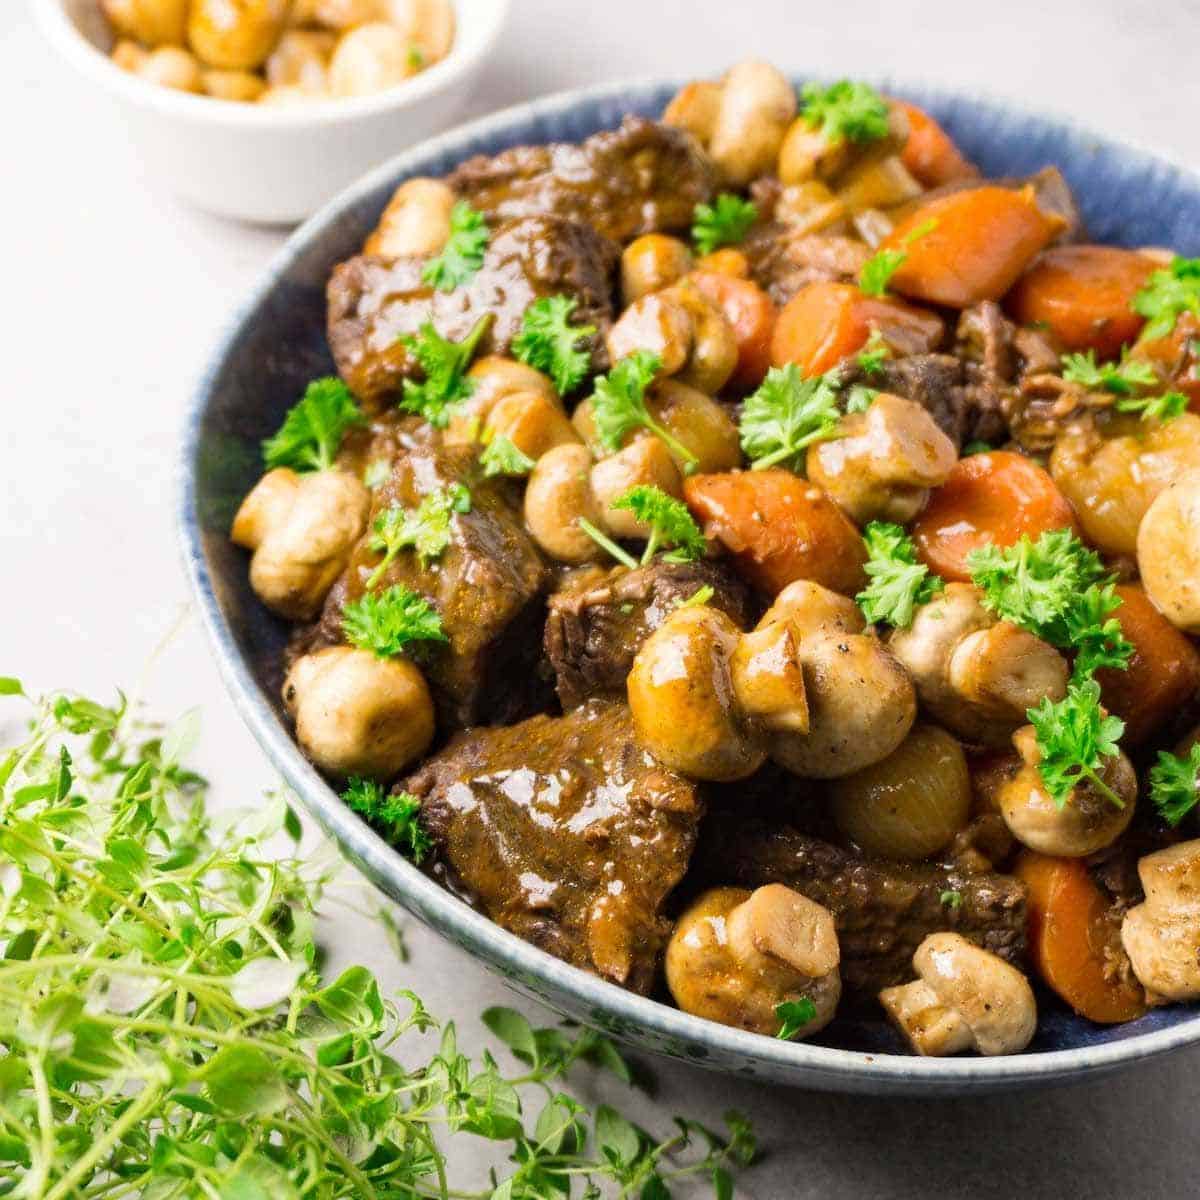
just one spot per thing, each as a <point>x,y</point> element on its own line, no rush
<point>737,956</point>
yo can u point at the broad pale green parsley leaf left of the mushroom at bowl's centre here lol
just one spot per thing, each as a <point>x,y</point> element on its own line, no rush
<point>787,416</point>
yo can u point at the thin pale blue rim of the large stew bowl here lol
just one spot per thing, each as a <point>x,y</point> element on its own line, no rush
<point>806,1065</point>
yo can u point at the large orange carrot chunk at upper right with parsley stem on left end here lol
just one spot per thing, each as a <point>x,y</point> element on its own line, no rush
<point>969,247</point>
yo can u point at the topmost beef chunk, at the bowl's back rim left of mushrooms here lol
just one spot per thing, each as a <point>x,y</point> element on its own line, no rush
<point>643,178</point>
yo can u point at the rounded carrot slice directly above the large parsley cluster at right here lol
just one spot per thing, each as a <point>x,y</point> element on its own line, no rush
<point>987,499</point>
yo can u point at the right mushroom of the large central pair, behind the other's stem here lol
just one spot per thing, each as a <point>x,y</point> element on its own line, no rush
<point>861,701</point>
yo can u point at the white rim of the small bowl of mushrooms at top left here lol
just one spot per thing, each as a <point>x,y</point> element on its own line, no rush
<point>455,68</point>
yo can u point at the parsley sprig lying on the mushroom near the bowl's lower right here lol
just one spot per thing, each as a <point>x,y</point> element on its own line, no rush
<point>1075,737</point>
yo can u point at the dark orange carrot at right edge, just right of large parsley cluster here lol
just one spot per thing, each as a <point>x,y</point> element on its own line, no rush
<point>1162,676</point>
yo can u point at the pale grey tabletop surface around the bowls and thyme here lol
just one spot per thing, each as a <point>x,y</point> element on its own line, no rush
<point>113,295</point>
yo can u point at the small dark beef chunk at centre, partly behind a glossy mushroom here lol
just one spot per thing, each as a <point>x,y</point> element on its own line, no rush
<point>597,626</point>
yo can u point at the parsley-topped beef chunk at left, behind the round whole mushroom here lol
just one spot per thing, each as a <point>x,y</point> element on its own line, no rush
<point>488,586</point>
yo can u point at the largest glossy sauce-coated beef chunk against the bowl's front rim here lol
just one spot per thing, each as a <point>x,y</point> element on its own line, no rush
<point>563,831</point>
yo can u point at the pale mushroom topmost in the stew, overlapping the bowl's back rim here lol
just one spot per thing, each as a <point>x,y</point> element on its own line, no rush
<point>741,121</point>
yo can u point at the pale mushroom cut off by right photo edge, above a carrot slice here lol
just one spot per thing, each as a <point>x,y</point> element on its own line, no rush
<point>1169,553</point>
